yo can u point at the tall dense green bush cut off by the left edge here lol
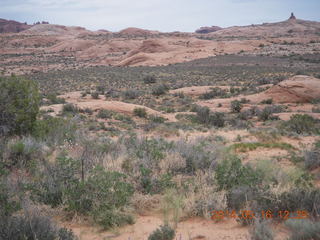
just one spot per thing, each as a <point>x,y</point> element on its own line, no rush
<point>19,105</point>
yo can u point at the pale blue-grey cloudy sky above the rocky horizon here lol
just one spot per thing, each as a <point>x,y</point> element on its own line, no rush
<point>161,15</point>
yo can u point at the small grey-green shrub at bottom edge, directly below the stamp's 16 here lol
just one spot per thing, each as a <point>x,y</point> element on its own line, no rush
<point>261,230</point>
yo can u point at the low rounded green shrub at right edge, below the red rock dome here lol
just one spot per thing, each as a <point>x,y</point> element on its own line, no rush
<point>300,124</point>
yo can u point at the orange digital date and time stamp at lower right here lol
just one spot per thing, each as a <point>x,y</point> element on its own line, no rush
<point>267,214</point>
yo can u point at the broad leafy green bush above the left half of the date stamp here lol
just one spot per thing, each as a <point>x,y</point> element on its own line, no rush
<point>230,173</point>
